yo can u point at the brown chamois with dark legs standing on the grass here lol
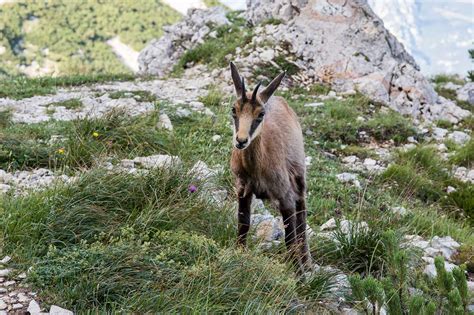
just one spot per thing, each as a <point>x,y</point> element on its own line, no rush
<point>268,161</point>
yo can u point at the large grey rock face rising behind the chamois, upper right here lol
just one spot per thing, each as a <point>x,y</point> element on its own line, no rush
<point>344,43</point>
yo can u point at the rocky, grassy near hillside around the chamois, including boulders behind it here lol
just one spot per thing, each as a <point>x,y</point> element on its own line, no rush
<point>116,193</point>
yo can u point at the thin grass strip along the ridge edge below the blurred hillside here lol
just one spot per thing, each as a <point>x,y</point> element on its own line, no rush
<point>19,87</point>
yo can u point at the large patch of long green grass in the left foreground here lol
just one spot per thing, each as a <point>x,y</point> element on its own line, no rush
<point>116,241</point>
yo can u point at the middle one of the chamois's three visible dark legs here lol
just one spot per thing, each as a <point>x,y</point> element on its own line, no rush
<point>287,210</point>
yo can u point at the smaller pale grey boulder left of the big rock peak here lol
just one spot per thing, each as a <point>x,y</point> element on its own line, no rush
<point>159,57</point>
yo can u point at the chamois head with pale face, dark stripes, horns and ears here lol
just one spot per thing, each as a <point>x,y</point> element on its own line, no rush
<point>248,111</point>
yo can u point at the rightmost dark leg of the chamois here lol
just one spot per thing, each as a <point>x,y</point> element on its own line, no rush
<point>301,213</point>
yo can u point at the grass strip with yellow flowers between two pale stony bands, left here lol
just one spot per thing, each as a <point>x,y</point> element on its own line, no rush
<point>86,141</point>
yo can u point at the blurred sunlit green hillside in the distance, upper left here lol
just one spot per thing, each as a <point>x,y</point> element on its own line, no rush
<point>75,32</point>
